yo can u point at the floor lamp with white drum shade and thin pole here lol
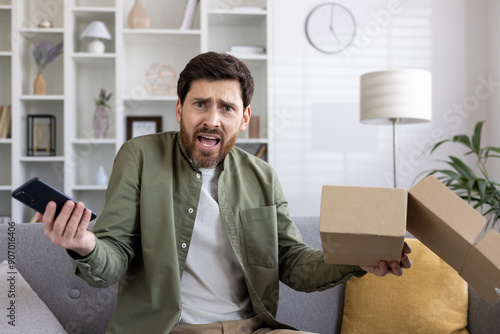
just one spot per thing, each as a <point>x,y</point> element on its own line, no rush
<point>396,96</point>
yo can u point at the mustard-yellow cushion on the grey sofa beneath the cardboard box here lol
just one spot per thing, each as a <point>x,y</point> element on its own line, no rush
<point>429,298</point>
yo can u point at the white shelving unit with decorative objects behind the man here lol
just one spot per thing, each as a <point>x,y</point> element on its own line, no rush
<point>75,78</point>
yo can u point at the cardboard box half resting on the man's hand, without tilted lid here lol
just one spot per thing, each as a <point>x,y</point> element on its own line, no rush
<point>361,225</point>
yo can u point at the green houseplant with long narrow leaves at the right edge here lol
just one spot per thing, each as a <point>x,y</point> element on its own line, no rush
<point>472,184</point>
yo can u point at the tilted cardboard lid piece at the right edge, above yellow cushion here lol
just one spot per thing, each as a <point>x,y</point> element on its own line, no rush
<point>450,227</point>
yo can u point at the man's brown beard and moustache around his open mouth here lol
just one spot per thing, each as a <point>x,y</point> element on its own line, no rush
<point>206,159</point>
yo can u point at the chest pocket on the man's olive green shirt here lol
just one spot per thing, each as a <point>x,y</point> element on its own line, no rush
<point>260,233</point>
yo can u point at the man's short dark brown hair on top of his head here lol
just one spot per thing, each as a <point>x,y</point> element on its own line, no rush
<point>216,66</point>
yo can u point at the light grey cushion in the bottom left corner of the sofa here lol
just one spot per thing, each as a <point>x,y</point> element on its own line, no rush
<point>25,312</point>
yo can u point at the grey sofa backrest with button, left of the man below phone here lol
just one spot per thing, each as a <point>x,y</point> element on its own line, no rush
<point>79,307</point>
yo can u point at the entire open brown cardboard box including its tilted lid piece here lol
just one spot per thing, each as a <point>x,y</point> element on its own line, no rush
<point>361,226</point>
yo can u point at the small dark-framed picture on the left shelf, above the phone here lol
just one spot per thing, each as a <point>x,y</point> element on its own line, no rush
<point>41,135</point>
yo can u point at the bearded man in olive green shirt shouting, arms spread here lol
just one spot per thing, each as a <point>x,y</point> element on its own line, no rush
<point>196,230</point>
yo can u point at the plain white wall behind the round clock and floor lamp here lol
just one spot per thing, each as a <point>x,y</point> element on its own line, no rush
<point>317,133</point>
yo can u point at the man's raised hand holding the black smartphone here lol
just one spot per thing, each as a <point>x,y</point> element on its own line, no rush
<point>69,228</point>
